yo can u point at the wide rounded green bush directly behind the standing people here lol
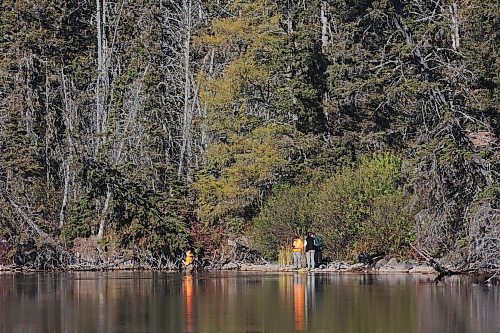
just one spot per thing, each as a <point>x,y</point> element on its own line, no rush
<point>357,209</point>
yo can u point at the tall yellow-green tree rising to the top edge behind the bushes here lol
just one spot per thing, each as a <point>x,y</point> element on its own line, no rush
<point>260,109</point>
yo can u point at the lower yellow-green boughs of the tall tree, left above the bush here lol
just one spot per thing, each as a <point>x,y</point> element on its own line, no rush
<point>240,173</point>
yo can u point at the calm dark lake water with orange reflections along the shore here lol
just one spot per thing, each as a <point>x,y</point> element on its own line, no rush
<point>244,302</point>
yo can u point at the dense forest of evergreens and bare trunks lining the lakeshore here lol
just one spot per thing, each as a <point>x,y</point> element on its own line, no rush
<point>143,128</point>
